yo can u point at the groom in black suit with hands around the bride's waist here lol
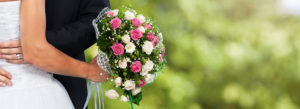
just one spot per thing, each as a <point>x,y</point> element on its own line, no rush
<point>69,28</point>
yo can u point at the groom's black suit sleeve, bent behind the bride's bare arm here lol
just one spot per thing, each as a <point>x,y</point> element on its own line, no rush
<point>78,36</point>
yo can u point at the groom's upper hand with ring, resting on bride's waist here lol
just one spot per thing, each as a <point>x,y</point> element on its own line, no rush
<point>11,51</point>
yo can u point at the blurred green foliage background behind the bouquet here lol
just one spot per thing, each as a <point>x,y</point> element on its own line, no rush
<point>222,54</point>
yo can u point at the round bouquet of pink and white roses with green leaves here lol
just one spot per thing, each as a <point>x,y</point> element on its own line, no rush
<point>135,52</point>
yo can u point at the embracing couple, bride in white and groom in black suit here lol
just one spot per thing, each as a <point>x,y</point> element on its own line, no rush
<point>29,49</point>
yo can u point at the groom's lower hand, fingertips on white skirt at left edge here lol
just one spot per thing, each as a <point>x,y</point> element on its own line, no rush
<point>5,78</point>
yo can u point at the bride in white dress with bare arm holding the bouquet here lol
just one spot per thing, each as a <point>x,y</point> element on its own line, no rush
<point>33,87</point>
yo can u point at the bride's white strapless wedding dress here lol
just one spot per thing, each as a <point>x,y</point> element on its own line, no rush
<point>32,88</point>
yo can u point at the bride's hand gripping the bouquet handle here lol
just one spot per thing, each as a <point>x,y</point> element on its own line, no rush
<point>96,73</point>
